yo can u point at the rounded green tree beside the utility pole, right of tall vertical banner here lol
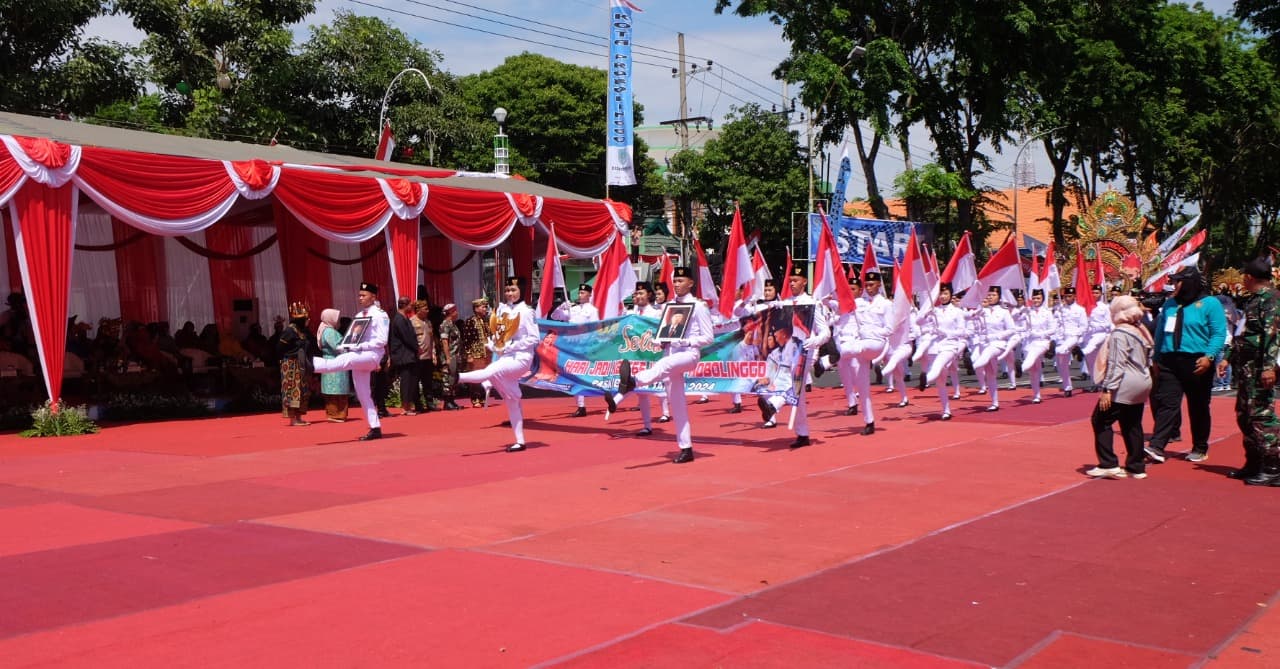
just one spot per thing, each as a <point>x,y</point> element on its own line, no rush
<point>757,163</point>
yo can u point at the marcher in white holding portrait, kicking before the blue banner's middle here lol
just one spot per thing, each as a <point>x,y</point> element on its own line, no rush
<point>679,359</point>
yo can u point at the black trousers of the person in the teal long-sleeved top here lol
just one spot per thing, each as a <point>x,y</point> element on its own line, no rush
<point>1178,378</point>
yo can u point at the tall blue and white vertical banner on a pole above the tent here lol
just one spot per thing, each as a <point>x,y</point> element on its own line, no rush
<point>620,148</point>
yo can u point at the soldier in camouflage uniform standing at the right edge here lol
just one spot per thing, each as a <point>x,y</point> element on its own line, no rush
<point>1254,358</point>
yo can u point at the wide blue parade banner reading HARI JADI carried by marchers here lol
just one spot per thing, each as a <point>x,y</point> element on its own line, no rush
<point>758,355</point>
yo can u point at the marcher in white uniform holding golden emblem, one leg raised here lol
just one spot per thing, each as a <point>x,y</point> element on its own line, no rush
<point>514,341</point>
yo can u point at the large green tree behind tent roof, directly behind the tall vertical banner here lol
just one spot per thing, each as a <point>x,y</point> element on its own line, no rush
<point>556,127</point>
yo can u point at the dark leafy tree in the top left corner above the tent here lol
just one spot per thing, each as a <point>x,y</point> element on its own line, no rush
<point>47,67</point>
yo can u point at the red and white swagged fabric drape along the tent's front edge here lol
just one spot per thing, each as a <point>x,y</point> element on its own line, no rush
<point>42,182</point>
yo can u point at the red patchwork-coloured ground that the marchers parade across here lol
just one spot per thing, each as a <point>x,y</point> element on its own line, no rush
<point>244,543</point>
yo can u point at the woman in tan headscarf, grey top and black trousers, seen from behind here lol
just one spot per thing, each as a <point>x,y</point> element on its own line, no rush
<point>1124,370</point>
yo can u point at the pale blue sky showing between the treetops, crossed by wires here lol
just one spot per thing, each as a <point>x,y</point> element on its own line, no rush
<point>744,53</point>
